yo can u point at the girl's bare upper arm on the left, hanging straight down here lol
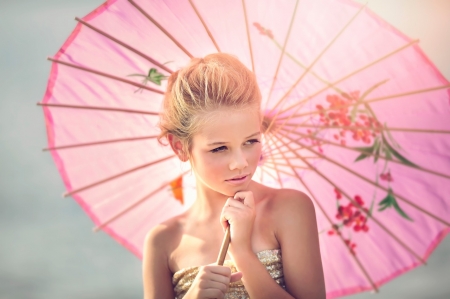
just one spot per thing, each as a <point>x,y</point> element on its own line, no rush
<point>157,278</point>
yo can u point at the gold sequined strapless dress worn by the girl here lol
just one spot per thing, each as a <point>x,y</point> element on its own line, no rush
<point>271,259</point>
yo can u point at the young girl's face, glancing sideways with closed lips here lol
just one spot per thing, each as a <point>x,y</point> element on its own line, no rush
<point>226,151</point>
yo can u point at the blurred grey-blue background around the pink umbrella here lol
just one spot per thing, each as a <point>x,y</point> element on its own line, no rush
<point>47,249</point>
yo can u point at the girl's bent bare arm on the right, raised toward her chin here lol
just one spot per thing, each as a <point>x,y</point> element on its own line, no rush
<point>296,232</point>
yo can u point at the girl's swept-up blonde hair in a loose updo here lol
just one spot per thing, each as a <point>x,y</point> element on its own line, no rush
<point>205,85</point>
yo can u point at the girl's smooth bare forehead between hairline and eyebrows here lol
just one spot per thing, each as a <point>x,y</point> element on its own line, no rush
<point>228,125</point>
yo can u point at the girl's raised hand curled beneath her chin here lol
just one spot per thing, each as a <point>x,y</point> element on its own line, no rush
<point>239,214</point>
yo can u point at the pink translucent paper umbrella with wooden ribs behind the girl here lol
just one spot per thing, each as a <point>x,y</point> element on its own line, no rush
<point>356,116</point>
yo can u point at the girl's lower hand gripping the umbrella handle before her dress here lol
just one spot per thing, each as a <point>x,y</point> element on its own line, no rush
<point>212,281</point>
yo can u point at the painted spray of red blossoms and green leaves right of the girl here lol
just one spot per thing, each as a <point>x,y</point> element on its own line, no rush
<point>344,119</point>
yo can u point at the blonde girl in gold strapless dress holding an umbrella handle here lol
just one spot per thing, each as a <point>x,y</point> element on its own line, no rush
<point>211,118</point>
